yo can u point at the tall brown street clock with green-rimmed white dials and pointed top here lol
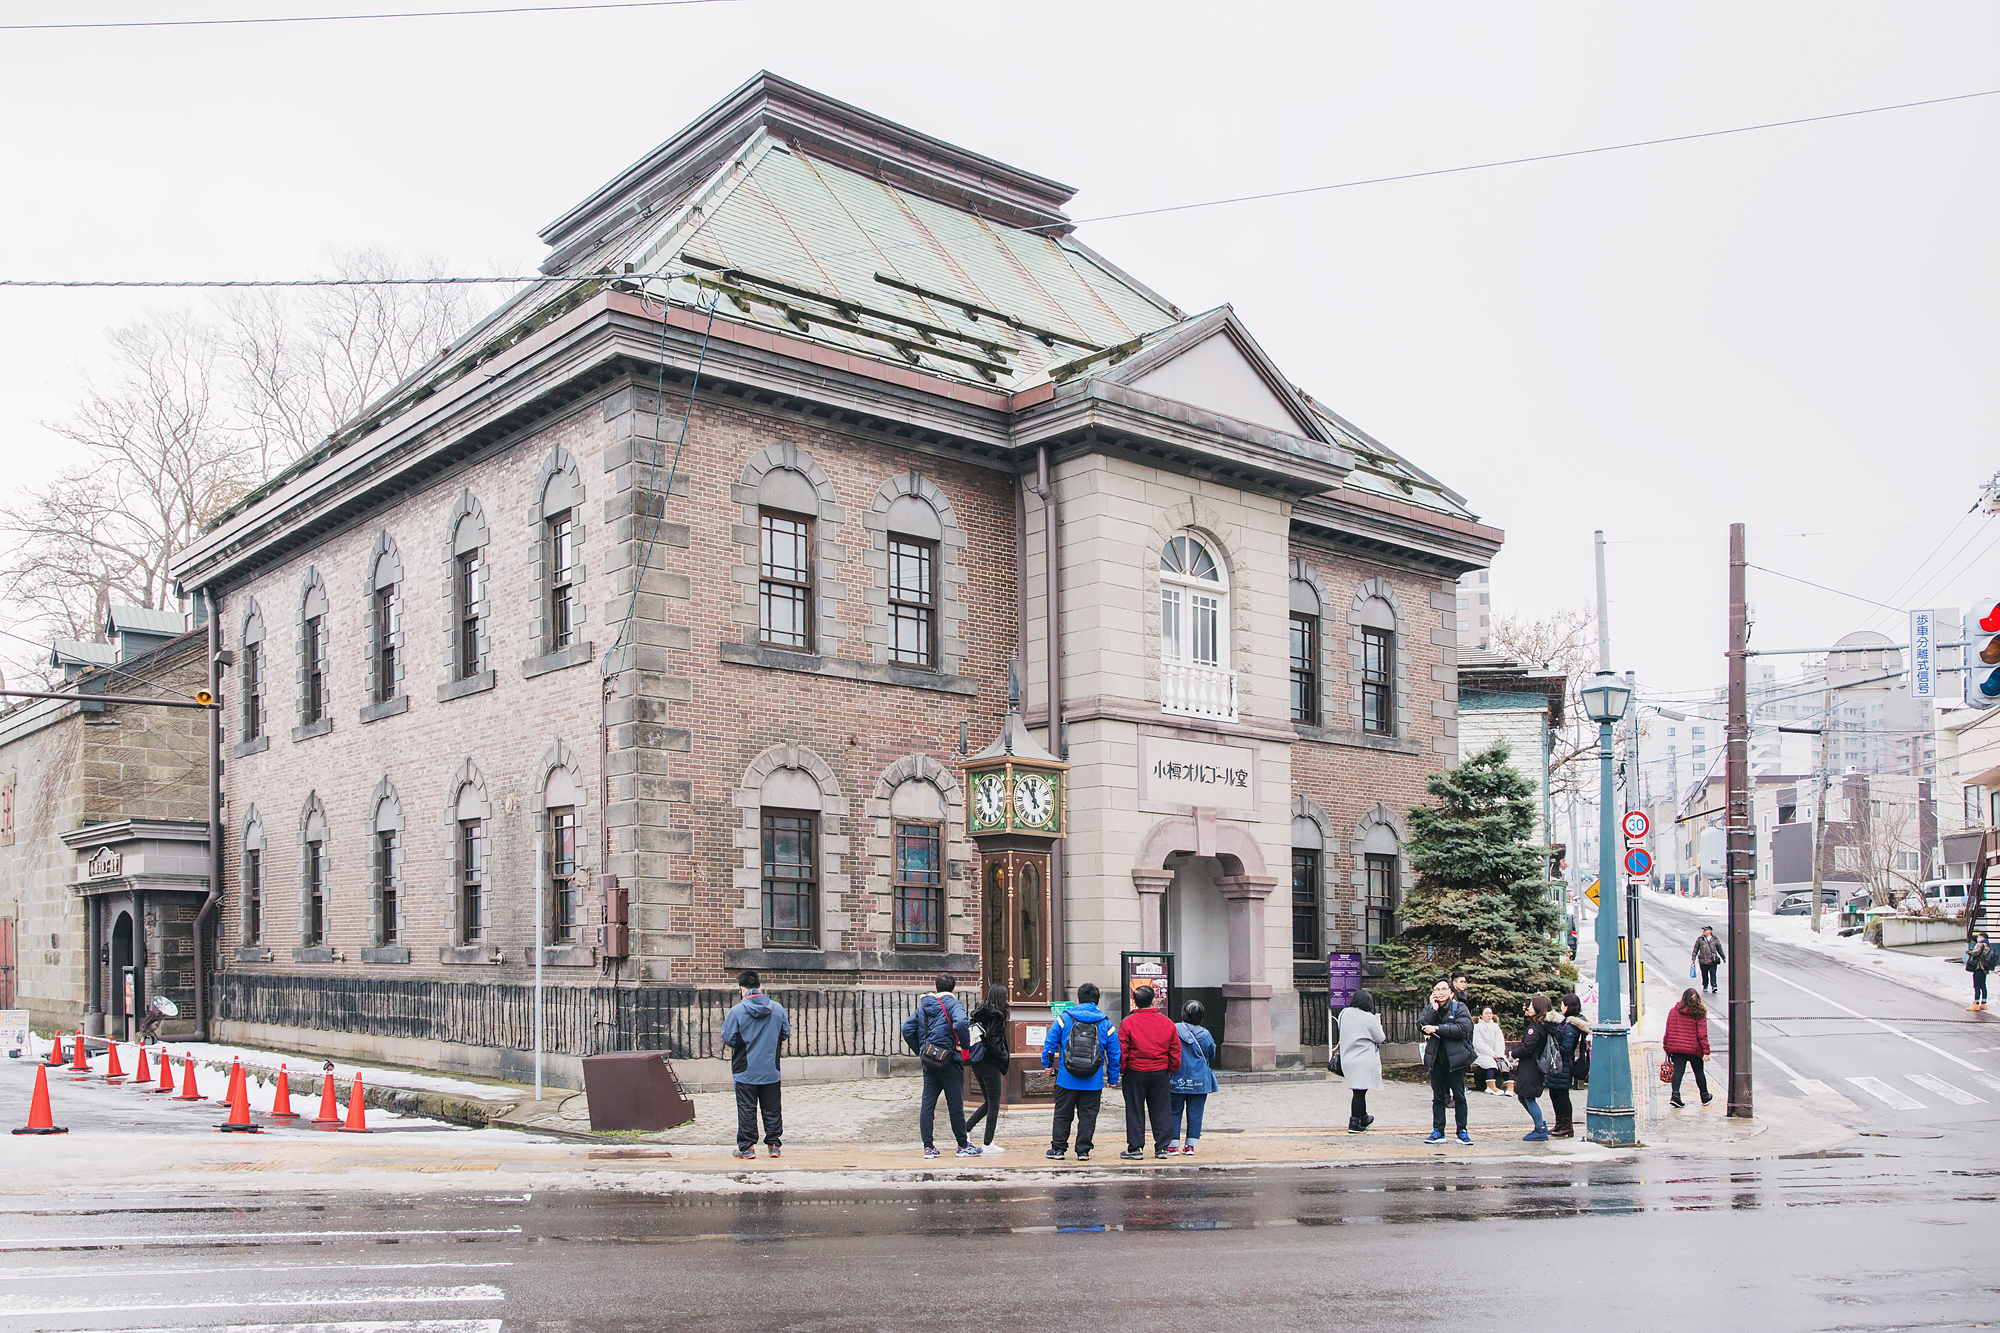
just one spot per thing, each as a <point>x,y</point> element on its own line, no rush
<point>1015,814</point>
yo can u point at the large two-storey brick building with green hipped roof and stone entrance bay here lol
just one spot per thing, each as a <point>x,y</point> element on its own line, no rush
<point>701,569</point>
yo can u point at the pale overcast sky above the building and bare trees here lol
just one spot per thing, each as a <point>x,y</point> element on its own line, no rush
<point>1795,329</point>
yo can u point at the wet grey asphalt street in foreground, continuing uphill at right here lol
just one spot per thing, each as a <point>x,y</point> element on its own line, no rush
<point>1885,1232</point>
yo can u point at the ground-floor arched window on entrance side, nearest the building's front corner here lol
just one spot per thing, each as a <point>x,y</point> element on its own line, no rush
<point>795,824</point>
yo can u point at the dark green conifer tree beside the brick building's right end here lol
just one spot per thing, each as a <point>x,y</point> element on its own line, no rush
<point>1481,900</point>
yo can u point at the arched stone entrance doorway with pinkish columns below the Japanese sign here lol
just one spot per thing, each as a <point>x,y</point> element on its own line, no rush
<point>1201,892</point>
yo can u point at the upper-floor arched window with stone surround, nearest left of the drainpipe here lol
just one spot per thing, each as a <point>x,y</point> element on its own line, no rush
<point>917,577</point>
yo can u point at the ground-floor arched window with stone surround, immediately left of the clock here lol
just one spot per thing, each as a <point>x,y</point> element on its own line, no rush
<point>917,792</point>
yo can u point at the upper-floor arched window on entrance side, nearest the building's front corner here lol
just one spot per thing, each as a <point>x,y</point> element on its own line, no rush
<point>785,487</point>
